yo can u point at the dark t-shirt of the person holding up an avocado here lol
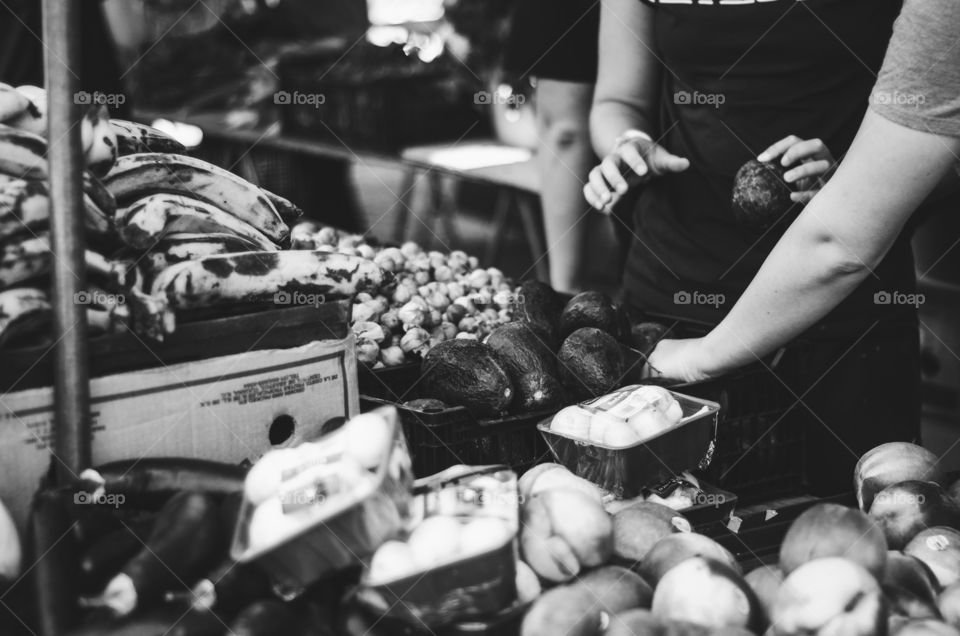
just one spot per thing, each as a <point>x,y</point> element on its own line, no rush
<point>738,77</point>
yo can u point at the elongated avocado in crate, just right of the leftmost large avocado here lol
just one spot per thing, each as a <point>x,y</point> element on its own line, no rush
<point>531,363</point>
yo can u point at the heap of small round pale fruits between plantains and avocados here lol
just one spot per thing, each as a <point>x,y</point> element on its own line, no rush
<point>438,297</point>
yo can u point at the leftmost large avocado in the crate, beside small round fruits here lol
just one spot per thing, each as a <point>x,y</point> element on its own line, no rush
<point>468,373</point>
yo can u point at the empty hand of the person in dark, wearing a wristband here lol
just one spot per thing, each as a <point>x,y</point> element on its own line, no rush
<point>643,157</point>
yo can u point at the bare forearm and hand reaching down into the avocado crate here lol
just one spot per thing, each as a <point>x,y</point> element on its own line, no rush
<point>835,243</point>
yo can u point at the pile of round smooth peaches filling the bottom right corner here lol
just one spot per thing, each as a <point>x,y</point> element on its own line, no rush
<point>890,567</point>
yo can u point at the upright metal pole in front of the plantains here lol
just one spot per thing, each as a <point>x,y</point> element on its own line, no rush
<point>61,38</point>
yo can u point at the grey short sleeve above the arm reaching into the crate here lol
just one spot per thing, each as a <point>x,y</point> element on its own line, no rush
<point>919,84</point>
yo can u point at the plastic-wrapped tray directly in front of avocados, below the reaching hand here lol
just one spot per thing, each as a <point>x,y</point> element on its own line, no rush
<point>625,470</point>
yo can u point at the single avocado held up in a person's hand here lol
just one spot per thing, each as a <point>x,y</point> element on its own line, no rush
<point>760,195</point>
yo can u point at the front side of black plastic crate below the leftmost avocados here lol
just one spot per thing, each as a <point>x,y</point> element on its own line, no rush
<point>440,439</point>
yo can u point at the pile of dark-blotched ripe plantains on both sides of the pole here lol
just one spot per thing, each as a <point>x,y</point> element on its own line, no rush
<point>167,233</point>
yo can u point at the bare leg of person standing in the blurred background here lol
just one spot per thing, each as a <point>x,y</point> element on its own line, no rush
<point>565,158</point>
